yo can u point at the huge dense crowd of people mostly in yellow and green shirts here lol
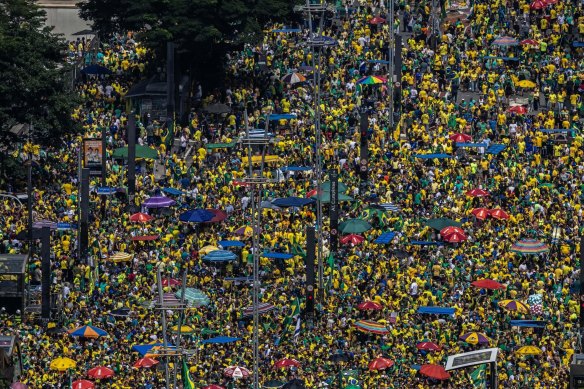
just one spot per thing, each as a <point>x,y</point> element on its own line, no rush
<point>499,73</point>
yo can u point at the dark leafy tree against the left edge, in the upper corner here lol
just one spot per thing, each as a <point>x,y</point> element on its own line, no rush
<point>33,77</point>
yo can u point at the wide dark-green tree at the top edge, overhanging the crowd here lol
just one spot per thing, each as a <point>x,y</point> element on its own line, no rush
<point>203,30</point>
